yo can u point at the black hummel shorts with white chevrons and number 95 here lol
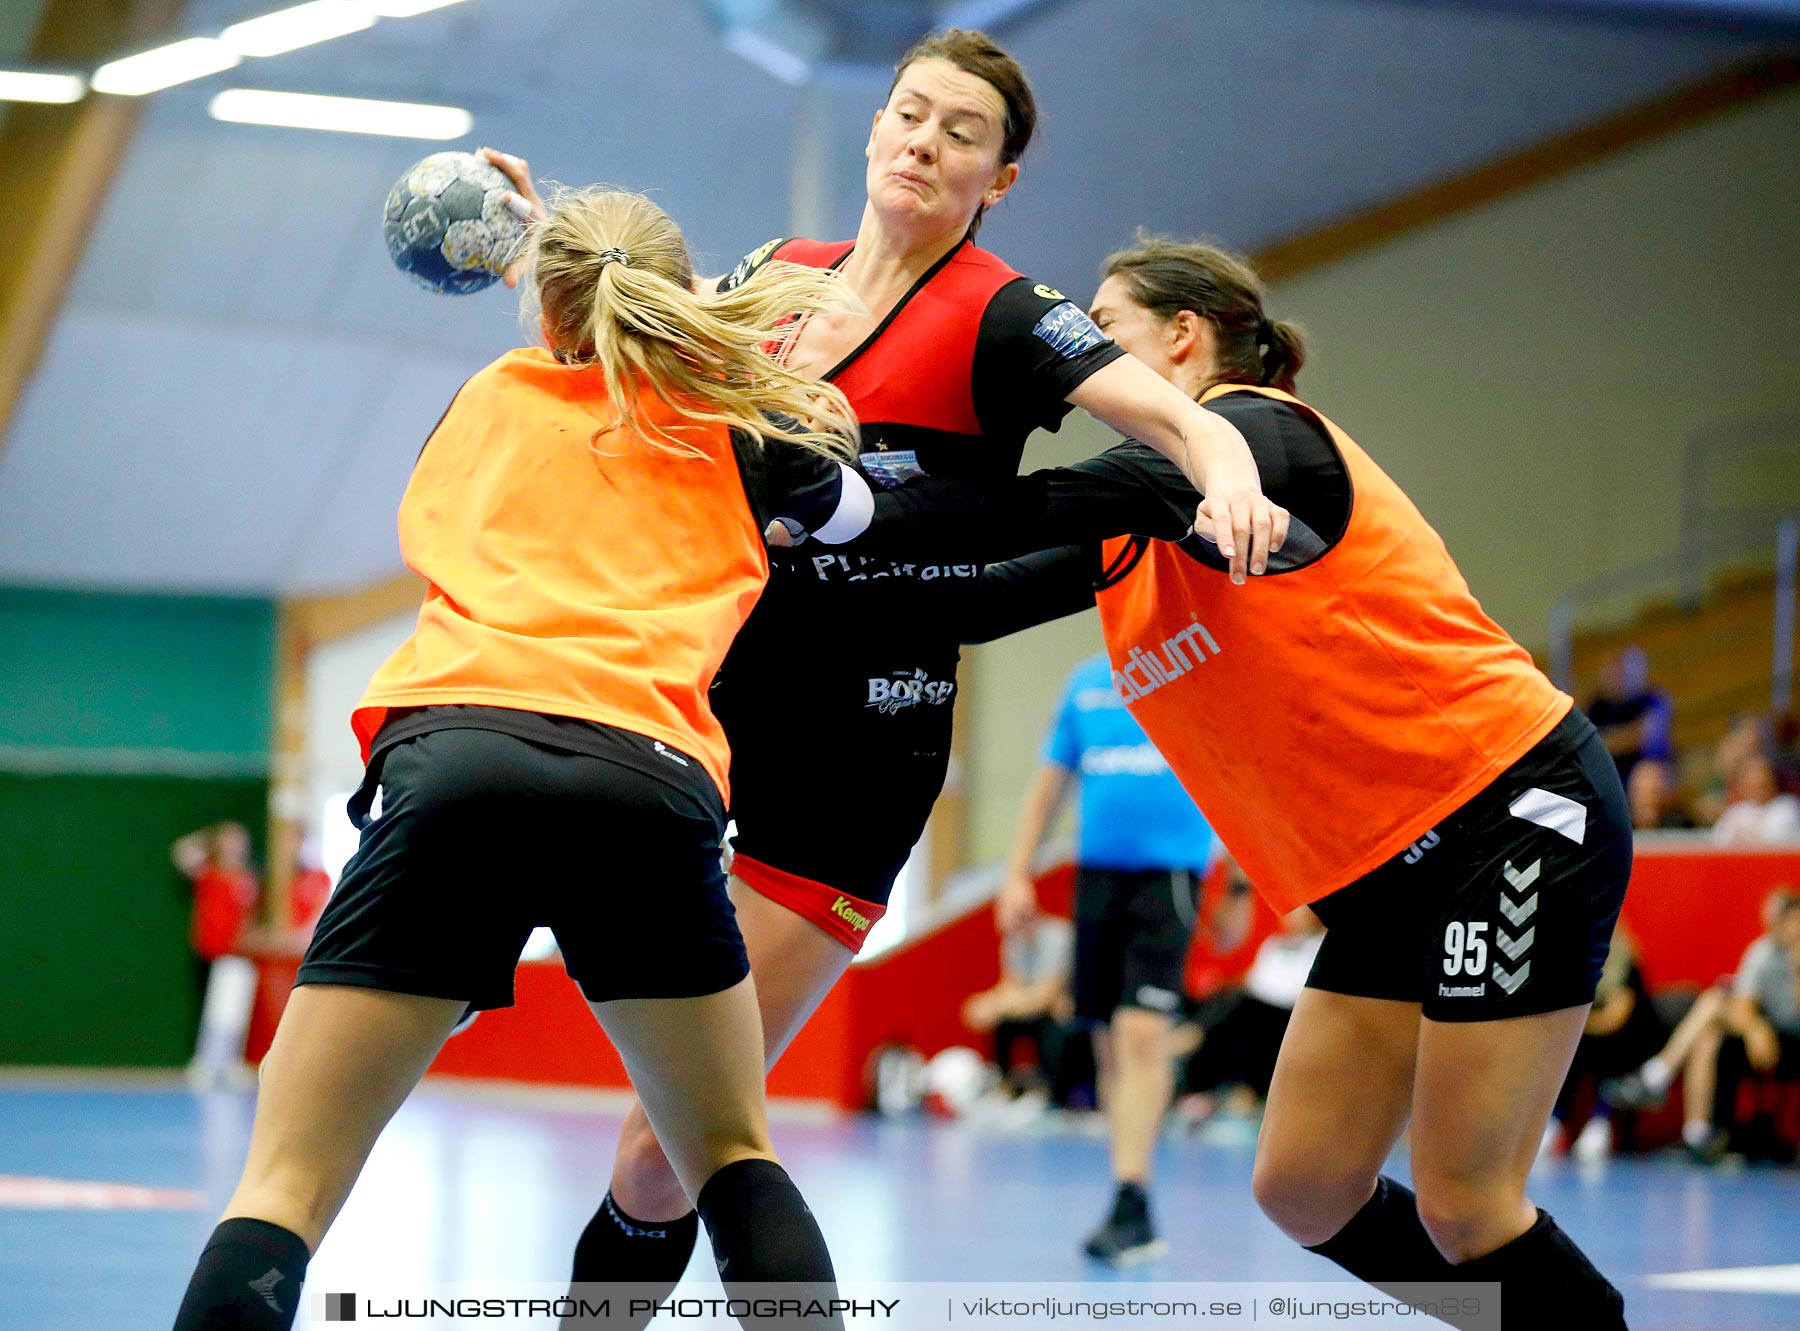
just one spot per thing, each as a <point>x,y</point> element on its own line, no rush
<point>1502,910</point>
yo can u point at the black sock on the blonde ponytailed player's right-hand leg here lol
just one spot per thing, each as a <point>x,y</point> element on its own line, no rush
<point>762,1233</point>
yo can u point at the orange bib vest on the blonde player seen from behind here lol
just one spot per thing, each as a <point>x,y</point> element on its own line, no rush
<point>577,577</point>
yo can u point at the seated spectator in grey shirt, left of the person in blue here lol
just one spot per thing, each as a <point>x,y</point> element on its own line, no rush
<point>1030,1008</point>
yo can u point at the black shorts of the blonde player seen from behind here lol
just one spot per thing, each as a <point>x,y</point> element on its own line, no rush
<point>483,837</point>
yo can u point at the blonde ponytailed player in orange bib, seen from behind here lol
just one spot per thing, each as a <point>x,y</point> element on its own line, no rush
<point>591,523</point>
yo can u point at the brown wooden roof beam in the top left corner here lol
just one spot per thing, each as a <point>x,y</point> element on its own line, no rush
<point>58,163</point>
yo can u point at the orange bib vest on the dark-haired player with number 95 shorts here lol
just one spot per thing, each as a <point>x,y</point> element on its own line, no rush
<point>1326,720</point>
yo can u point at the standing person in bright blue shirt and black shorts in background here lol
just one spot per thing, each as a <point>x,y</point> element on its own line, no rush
<point>1142,853</point>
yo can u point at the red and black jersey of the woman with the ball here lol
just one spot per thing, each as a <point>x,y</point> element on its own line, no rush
<point>949,385</point>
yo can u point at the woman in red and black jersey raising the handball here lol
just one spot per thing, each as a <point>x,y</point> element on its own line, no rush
<point>953,361</point>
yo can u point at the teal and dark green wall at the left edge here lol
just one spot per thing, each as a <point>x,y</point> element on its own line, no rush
<point>125,721</point>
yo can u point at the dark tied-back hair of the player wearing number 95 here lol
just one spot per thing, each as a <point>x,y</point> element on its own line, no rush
<point>1169,276</point>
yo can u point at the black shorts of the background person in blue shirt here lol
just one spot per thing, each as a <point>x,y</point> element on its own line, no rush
<point>1131,939</point>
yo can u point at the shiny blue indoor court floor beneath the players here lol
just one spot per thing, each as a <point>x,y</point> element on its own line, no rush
<point>107,1191</point>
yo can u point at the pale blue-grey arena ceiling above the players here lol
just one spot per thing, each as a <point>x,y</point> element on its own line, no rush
<point>238,383</point>
